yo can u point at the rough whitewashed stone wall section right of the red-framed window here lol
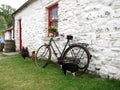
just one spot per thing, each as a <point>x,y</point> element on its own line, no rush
<point>96,22</point>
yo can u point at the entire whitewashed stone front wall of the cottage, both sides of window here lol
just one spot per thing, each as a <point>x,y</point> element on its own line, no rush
<point>96,22</point>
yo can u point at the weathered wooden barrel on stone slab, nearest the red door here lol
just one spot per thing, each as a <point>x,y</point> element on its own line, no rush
<point>9,46</point>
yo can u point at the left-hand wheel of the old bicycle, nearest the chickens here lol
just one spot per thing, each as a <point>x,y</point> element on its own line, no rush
<point>43,56</point>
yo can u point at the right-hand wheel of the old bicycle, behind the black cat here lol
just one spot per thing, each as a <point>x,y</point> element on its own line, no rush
<point>79,55</point>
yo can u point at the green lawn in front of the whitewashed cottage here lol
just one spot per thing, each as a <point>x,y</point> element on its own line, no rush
<point>19,74</point>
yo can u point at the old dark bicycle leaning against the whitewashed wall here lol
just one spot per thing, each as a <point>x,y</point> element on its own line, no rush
<point>76,53</point>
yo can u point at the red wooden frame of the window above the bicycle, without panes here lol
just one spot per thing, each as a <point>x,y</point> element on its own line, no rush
<point>49,19</point>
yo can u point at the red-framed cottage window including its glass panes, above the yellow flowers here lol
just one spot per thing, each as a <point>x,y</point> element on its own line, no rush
<point>53,16</point>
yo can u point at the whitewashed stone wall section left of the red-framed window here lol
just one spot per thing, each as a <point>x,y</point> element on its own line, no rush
<point>34,24</point>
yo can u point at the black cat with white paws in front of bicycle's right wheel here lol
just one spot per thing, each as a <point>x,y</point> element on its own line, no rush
<point>71,67</point>
